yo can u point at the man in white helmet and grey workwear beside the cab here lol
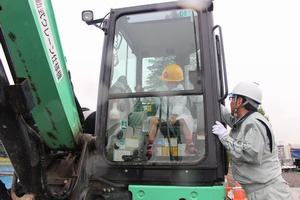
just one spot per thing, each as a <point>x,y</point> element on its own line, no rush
<point>255,163</point>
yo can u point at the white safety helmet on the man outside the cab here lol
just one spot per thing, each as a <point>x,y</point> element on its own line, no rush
<point>250,90</point>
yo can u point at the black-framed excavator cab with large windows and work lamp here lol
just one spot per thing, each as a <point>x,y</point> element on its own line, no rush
<point>139,43</point>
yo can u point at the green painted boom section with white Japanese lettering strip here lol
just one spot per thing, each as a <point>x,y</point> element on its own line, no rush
<point>32,36</point>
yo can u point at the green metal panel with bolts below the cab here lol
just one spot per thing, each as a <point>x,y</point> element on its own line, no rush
<point>150,192</point>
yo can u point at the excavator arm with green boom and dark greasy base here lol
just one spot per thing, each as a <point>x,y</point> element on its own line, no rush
<point>40,118</point>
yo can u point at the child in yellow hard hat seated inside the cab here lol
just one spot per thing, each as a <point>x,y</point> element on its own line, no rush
<point>172,75</point>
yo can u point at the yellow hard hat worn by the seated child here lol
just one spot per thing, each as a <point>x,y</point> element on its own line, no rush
<point>172,73</point>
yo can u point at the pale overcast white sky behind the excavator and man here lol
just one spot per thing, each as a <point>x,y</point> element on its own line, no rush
<point>261,42</point>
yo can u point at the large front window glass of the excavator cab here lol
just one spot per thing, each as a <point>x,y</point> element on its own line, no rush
<point>155,115</point>
